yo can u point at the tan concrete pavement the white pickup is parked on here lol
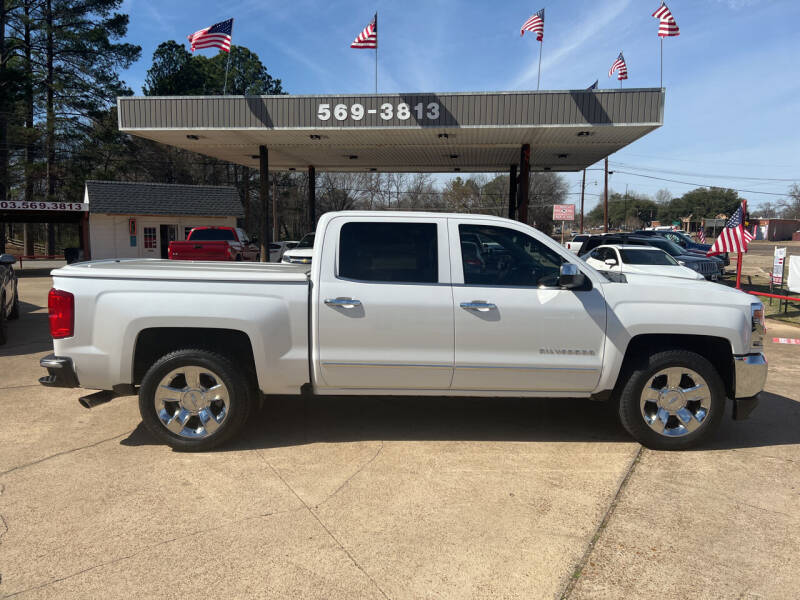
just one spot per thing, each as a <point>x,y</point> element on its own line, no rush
<point>389,498</point>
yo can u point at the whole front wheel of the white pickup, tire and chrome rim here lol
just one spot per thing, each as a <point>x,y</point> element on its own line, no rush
<point>674,401</point>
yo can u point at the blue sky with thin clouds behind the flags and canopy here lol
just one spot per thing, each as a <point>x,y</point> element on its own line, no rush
<point>732,115</point>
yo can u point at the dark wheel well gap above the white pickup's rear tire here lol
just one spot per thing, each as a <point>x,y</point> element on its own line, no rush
<point>153,343</point>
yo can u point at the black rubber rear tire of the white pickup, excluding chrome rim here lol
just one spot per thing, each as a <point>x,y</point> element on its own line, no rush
<point>237,382</point>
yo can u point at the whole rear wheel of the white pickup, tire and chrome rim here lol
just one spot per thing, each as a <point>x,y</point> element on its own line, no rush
<point>194,399</point>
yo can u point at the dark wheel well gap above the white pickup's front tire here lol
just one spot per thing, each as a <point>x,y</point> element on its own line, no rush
<point>714,349</point>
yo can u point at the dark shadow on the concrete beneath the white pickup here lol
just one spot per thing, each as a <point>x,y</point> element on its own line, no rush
<point>294,421</point>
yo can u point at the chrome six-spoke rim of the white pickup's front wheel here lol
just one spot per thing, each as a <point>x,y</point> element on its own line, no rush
<point>675,402</point>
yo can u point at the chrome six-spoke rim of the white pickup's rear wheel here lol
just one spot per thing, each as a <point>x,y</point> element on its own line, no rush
<point>192,402</point>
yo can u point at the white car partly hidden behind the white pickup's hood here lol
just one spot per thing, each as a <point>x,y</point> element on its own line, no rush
<point>645,260</point>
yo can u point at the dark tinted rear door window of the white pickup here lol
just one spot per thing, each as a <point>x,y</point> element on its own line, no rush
<point>389,252</point>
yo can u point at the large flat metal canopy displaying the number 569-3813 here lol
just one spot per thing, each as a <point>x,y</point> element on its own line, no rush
<point>447,132</point>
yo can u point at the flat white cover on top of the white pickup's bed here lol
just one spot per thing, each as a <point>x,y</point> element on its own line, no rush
<point>152,268</point>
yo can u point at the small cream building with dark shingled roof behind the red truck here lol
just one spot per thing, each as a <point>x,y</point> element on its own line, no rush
<point>139,220</point>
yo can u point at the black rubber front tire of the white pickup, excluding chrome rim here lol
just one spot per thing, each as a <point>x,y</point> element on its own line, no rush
<point>630,410</point>
